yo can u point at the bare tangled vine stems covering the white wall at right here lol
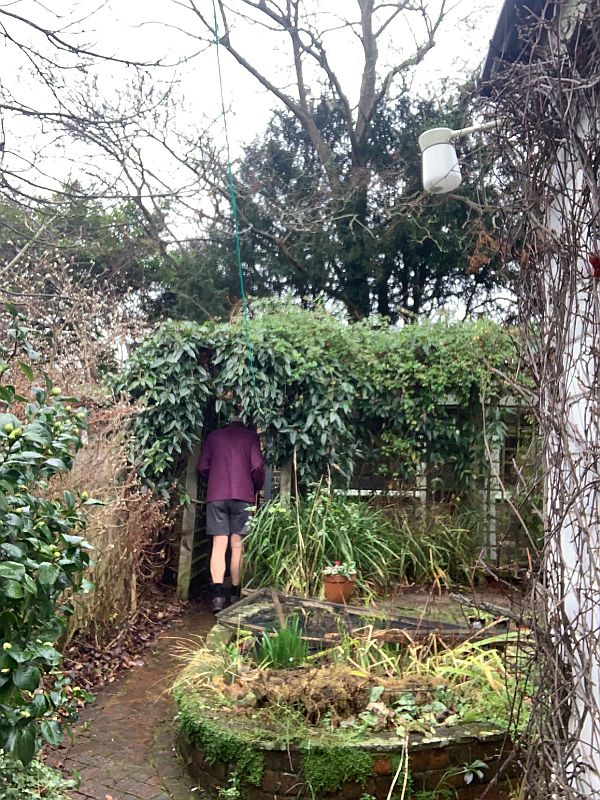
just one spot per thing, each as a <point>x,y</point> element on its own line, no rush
<point>548,148</point>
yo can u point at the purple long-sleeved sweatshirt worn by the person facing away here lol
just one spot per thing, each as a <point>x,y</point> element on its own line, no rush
<point>232,463</point>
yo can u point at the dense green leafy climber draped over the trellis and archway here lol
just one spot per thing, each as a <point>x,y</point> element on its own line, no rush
<point>328,390</point>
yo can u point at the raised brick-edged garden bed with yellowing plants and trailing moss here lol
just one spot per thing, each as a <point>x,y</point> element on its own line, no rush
<point>357,721</point>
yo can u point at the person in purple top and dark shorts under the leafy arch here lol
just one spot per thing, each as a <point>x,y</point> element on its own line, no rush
<point>231,461</point>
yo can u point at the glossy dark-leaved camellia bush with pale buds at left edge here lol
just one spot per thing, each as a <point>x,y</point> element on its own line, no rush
<point>43,556</point>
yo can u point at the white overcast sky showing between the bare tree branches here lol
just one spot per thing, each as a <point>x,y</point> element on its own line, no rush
<point>167,29</point>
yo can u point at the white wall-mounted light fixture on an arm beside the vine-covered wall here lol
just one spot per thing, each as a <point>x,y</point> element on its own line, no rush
<point>441,170</point>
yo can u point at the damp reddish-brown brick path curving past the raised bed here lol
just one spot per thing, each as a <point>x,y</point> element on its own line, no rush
<point>123,743</point>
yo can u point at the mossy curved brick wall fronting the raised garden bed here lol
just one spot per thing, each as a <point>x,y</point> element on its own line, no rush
<point>435,765</point>
